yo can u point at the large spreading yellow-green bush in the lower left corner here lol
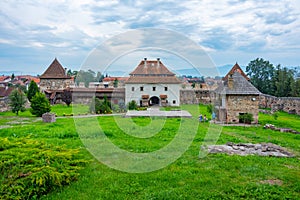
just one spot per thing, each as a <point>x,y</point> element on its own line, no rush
<point>31,168</point>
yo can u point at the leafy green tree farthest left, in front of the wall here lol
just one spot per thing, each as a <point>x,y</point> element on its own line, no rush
<point>17,101</point>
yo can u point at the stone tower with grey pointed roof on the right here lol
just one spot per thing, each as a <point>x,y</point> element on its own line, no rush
<point>236,96</point>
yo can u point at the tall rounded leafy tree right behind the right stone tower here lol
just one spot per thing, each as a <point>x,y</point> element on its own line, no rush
<point>261,73</point>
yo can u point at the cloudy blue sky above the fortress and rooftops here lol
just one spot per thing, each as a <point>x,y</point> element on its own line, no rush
<point>33,32</point>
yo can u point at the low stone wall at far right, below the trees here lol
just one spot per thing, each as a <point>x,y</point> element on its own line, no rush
<point>288,104</point>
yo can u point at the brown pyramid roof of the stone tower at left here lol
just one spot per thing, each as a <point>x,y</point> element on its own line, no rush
<point>55,70</point>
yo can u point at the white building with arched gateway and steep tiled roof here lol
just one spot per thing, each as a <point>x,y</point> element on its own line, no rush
<point>152,83</point>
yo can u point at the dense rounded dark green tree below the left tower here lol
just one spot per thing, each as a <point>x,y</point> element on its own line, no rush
<point>39,104</point>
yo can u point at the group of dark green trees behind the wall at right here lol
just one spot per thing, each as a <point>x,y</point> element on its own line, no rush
<point>274,80</point>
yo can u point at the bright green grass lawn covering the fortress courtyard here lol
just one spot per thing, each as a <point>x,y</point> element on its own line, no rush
<point>216,176</point>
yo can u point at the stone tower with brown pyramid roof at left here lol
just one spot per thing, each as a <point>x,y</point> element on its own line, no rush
<point>55,78</point>
